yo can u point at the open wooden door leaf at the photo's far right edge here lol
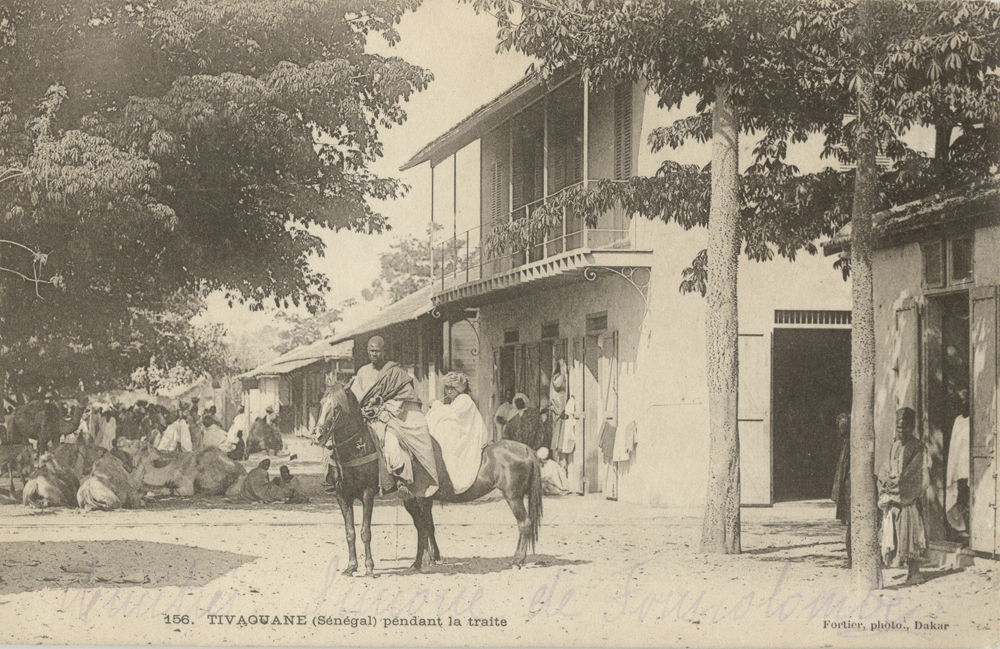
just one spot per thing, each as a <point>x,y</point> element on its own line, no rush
<point>983,487</point>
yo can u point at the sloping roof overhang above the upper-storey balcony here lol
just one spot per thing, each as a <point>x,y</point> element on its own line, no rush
<point>487,117</point>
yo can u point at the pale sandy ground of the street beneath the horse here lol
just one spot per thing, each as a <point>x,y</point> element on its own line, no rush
<point>204,571</point>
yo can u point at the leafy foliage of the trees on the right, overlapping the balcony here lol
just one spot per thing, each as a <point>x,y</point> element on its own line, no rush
<point>937,65</point>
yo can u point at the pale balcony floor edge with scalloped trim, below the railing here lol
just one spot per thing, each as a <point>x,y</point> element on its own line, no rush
<point>547,274</point>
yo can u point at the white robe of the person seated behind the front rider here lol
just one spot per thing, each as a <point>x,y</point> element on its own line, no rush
<point>460,430</point>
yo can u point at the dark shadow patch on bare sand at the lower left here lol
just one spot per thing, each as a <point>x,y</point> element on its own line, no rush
<point>38,565</point>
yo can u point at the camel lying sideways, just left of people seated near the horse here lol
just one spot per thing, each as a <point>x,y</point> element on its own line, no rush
<point>207,471</point>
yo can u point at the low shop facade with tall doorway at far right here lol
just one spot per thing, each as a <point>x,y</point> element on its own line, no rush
<point>936,270</point>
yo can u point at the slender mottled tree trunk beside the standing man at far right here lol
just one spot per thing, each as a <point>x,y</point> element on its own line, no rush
<point>864,510</point>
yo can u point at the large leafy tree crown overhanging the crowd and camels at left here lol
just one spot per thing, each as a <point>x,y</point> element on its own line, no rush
<point>150,148</point>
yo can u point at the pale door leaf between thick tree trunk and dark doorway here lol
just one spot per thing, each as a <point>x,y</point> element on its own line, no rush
<point>752,420</point>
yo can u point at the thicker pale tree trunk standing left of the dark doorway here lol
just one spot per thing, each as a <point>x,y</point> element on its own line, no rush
<point>720,532</point>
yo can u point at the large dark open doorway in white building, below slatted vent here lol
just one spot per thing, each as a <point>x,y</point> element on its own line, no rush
<point>811,385</point>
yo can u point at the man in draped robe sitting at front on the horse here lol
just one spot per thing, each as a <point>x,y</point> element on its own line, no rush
<point>393,411</point>
